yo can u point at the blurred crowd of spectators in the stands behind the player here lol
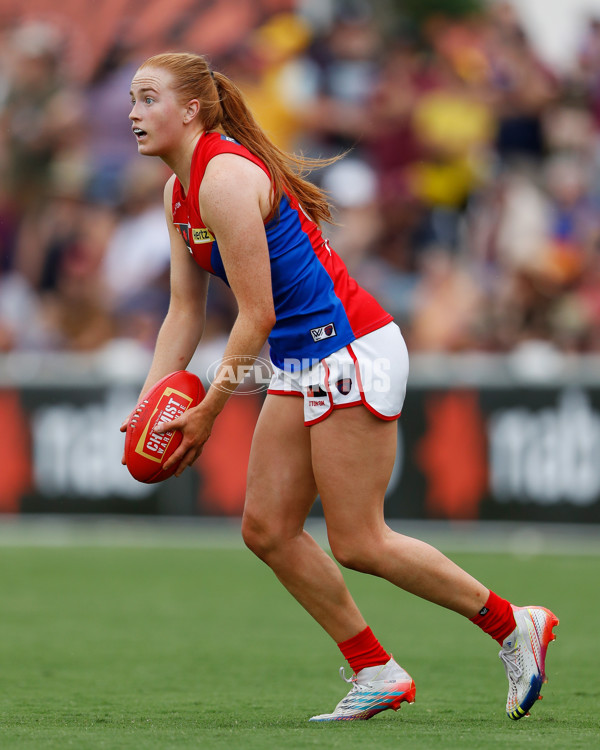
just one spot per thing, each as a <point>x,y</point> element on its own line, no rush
<point>468,200</point>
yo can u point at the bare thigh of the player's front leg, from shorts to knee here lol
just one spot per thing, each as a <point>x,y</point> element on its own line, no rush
<point>281,487</point>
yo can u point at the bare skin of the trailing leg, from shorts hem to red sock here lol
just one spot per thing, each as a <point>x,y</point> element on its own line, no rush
<point>352,491</point>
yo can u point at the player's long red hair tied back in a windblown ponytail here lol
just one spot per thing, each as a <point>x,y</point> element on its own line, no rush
<point>222,106</point>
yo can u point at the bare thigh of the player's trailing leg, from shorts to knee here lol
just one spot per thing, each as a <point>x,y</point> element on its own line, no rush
<point>353,454</point>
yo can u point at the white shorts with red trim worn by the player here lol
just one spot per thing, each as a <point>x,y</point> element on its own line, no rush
<point>372,371</point>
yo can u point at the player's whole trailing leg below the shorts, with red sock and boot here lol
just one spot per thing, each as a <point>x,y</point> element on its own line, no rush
<point>352,493</point>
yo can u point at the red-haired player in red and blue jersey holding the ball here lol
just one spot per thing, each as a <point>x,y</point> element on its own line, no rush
<point>238,208</point>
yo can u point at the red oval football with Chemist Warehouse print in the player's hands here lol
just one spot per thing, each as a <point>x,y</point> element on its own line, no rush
<point>145,451</point>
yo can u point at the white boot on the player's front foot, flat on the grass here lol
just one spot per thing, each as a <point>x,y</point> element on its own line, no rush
<point>374,689</point>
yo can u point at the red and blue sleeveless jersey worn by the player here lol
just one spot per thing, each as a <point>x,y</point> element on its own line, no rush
<point>319,307</point>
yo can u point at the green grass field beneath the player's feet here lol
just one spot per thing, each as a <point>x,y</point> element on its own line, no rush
<point>158,647</point>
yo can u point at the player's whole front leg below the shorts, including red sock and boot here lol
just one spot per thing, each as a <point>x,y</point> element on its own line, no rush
<point>281,490</point>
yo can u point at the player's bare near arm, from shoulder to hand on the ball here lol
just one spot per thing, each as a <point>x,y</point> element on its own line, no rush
<point>233,200</point>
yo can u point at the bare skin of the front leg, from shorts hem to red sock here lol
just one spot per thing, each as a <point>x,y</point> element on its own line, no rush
<point>280,492</point>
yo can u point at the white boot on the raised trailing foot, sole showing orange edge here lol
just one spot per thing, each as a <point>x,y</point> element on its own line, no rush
<point>524,657</point>
